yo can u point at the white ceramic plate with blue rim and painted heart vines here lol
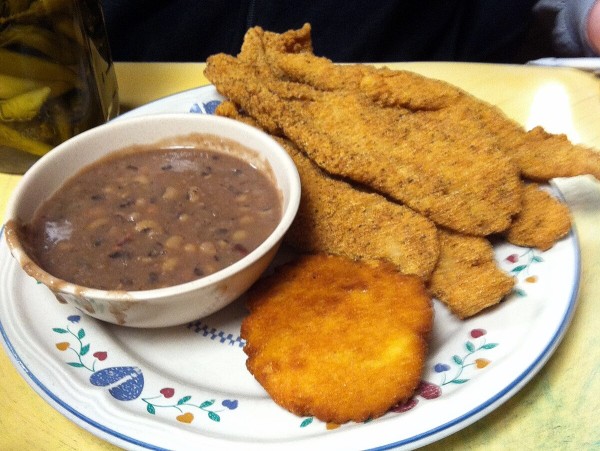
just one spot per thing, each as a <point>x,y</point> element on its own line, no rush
<point>187,387</point>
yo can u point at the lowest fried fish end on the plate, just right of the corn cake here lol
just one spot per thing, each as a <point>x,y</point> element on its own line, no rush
<point>467,278</point>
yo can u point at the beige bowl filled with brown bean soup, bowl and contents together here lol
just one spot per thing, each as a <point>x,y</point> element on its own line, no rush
<point>154,221</point>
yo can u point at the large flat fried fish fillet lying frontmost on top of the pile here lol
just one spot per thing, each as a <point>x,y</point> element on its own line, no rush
<point>462,182</point>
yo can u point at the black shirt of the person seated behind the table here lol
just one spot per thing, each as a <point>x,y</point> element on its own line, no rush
<point>348,31</point>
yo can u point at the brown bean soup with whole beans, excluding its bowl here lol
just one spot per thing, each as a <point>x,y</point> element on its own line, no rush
<point>154,218</point>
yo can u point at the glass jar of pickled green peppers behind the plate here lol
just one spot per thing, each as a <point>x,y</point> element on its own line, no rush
<point>56,76</point>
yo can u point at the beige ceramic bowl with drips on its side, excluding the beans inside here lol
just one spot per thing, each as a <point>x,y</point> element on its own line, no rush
<point>164,306</point>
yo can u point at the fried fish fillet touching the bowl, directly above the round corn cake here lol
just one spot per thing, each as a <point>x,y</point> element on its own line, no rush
<point>336,218</point>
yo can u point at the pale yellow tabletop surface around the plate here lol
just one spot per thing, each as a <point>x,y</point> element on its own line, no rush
<point>558,409</point>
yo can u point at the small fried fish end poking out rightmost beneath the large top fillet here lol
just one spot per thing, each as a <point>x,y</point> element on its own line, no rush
<point>542,222</point>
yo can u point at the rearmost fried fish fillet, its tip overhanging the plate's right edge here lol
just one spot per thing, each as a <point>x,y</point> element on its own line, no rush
<point>539,155</point>
